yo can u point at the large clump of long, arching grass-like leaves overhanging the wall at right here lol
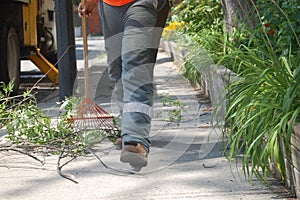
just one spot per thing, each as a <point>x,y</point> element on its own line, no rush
<point>261,103</point>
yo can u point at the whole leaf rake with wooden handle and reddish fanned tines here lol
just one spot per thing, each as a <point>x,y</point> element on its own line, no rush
<point>90,116</point>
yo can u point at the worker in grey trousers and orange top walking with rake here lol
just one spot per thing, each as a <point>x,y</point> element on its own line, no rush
<point>132,30</point>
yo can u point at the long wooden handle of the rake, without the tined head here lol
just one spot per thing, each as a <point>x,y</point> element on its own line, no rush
<point>85,54</point>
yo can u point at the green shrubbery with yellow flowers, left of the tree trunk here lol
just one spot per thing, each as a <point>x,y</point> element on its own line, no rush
<point>192,23</point>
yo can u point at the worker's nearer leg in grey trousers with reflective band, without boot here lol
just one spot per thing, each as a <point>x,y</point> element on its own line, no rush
<point>139,48</point>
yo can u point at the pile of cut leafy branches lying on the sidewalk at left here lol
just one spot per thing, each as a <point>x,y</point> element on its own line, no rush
<point>31,132</point>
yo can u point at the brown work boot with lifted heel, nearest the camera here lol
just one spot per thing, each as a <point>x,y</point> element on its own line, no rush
<point>135,154</point>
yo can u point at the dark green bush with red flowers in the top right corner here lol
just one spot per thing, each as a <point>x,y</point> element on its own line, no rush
<point>281,20</point>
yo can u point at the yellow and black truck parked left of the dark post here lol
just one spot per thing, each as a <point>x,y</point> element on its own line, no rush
<point>27,31</point>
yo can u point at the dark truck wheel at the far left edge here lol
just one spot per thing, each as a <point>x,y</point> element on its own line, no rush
<point>10,56</point>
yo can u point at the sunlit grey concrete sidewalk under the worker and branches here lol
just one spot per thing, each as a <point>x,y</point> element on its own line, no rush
<point>180,167</point>
